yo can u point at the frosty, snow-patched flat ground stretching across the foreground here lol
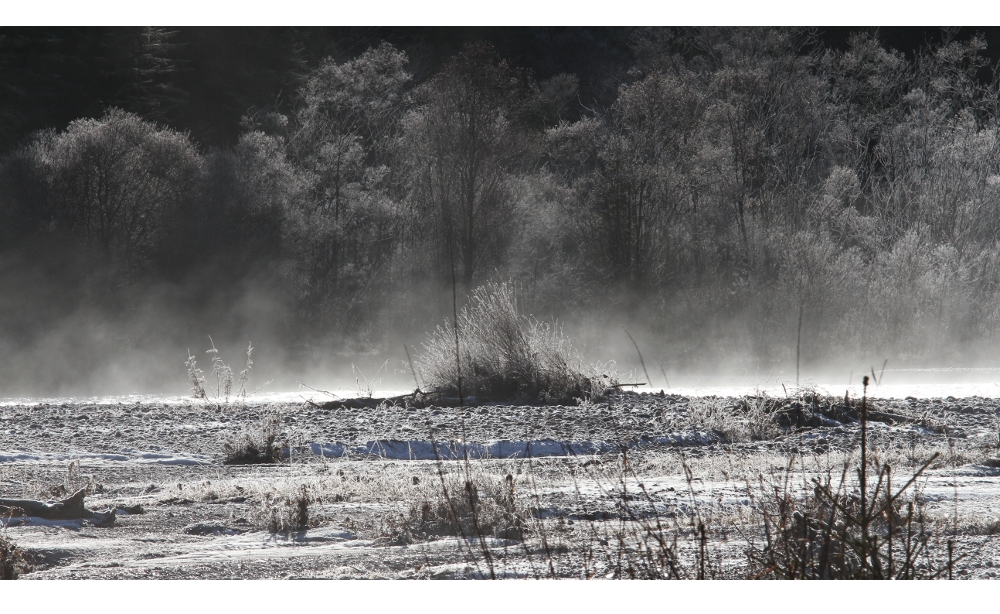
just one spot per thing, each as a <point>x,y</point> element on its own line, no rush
<point>493,491</point>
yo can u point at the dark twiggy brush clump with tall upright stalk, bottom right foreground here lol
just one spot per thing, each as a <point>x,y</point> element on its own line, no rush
<point>854,530</point>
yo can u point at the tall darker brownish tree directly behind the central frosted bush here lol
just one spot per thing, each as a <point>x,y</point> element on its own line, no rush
<point>461,146</point>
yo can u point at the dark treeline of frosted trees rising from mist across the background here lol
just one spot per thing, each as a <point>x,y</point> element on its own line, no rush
<point>705,185</point>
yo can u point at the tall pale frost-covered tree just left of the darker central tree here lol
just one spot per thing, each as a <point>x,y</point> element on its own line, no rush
<point>345,226</point>
